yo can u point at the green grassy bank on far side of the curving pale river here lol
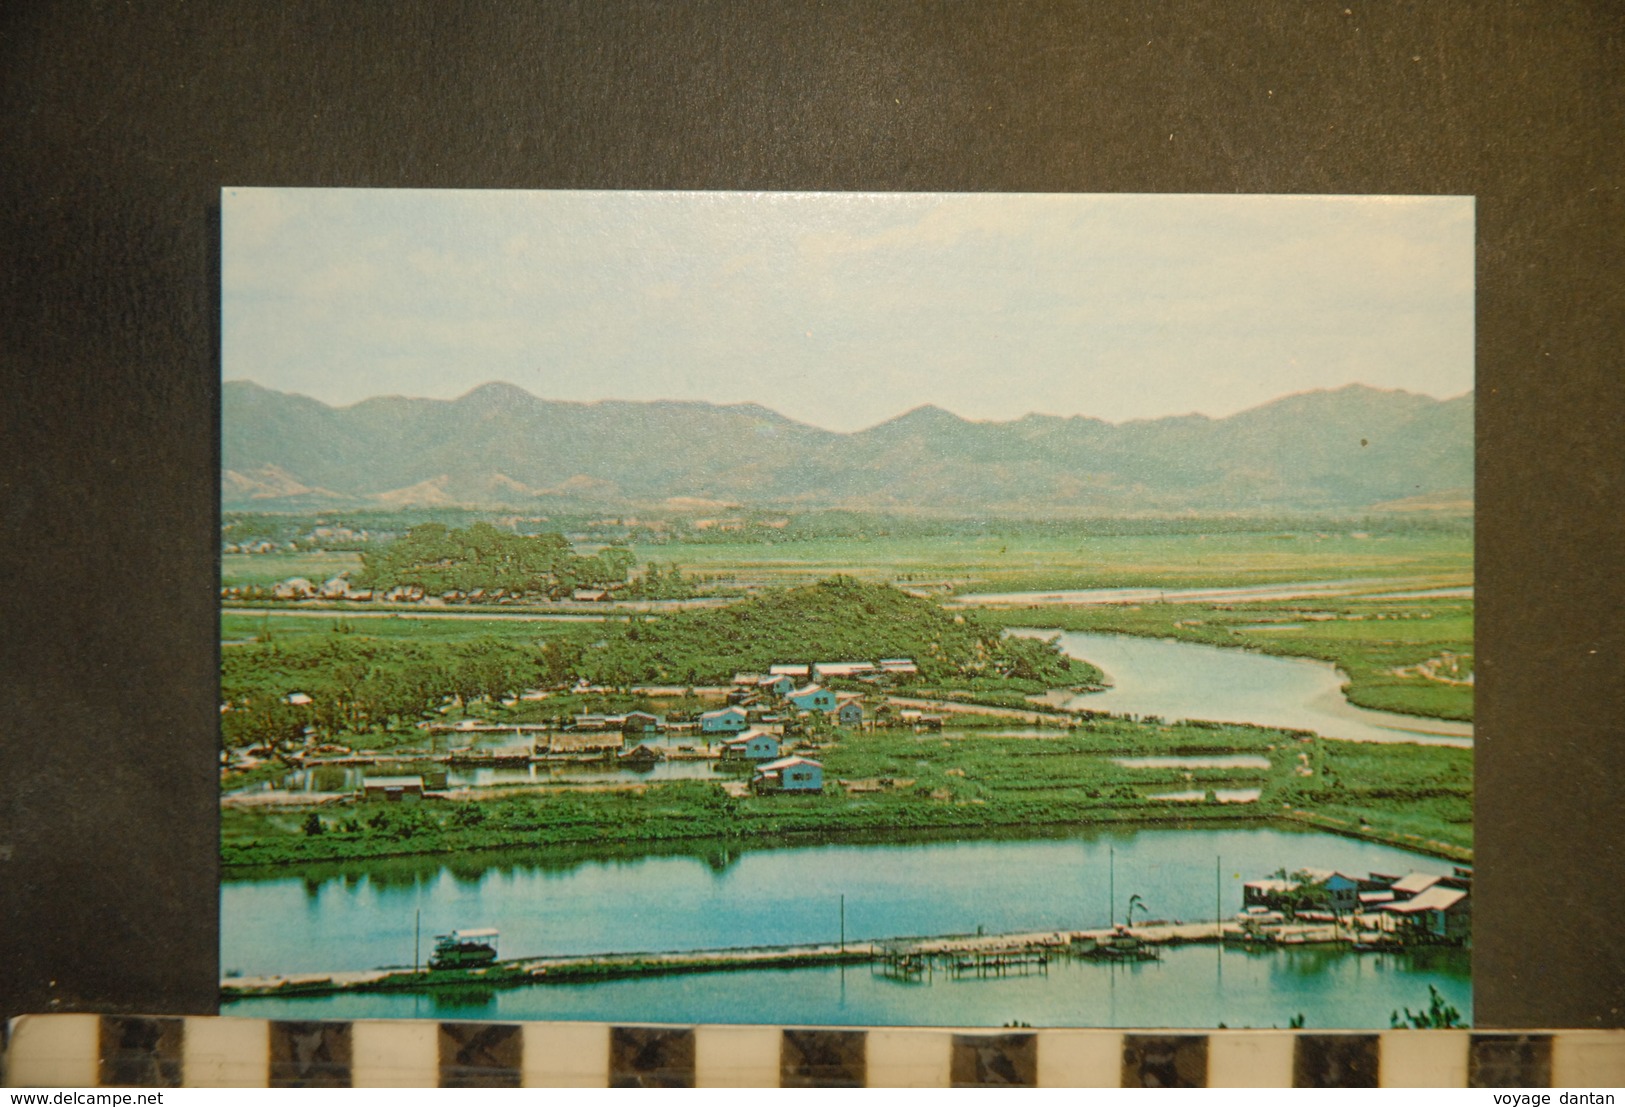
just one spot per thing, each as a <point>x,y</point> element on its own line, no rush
<point>1384,646</point>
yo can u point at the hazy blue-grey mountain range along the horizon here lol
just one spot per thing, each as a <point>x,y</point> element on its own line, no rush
<point>1348,449</point>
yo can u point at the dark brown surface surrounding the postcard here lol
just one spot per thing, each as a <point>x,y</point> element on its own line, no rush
<point>121,123</point>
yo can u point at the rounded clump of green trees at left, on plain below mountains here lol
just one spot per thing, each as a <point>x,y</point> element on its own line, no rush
<point>440,558</point>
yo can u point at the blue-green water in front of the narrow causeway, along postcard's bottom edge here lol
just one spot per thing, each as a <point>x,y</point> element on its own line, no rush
<point>1190,988</point>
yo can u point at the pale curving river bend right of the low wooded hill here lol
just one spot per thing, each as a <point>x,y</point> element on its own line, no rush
<point>1187,680</point>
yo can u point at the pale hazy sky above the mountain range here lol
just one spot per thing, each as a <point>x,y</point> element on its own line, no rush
<point>847,310</point>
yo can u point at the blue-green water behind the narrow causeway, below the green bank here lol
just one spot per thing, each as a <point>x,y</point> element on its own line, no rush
<point>545,905</point>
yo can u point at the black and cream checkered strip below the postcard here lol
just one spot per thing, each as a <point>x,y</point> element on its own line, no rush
<point>87,1051</point>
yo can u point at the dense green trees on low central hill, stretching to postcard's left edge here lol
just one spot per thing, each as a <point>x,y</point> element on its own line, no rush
<point>366,675</point>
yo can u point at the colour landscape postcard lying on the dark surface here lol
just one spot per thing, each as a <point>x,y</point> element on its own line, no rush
<point>847,609</point>
